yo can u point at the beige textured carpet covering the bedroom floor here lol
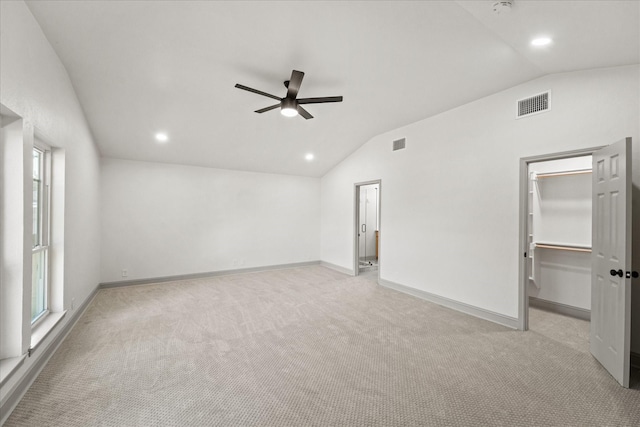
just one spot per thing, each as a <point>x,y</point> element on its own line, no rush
<point>310,347</point>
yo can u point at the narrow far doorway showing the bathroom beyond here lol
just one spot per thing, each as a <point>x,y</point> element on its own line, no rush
<point>367,228</point>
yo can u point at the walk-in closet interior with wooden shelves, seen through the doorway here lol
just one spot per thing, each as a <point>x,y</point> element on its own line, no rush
<point>559,235</point>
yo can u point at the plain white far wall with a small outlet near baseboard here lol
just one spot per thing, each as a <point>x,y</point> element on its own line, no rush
<point>163,220</point>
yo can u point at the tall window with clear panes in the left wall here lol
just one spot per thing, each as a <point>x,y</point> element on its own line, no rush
<point>40,244</point>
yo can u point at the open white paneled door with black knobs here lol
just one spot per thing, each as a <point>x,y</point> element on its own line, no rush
<point>611,259</point>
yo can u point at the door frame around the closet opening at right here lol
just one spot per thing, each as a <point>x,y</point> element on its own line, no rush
<point>523,294</point>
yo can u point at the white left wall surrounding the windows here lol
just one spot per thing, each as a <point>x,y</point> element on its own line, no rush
<point>35,86</point>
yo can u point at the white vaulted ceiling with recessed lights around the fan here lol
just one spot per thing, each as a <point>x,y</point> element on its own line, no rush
<point>143,66</point>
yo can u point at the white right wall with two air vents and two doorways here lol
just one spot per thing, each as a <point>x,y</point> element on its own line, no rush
<point>449,208</point>
